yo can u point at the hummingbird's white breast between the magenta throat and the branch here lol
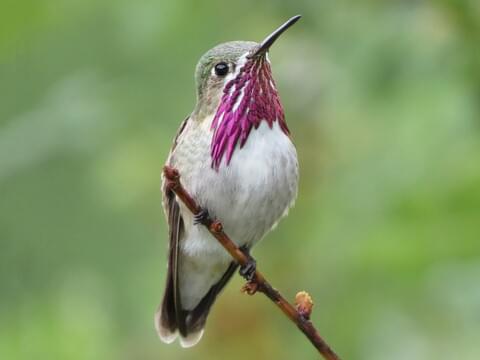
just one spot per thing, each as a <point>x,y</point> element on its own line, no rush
<point>253,191</point>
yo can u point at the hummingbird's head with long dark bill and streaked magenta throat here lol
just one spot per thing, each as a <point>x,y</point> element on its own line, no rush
<point>235,85</point>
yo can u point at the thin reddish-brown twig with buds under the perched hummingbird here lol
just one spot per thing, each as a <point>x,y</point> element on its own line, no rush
<point>299,316</point>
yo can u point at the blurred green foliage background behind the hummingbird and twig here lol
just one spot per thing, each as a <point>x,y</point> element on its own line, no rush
<point>383,100</point>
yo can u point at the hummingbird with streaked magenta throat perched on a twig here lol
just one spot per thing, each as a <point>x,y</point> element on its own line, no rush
<point>237,160</point>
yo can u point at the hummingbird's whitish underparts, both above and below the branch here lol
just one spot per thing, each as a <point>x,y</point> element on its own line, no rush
<point>249,196</point>
